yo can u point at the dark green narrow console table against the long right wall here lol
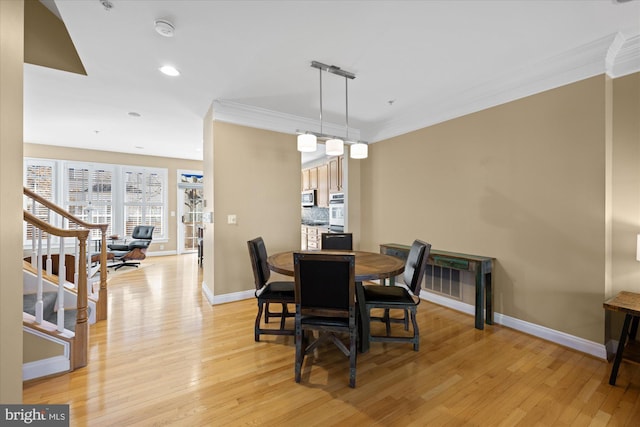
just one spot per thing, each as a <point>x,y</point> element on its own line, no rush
<point>480,265</point>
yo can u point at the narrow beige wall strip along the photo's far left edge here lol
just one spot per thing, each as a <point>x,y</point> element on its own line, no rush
<point>11,106</point>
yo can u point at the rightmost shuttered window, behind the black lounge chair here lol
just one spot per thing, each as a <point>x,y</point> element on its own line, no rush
<point>145,195</point>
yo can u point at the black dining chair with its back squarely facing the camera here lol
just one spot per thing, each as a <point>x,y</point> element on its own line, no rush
<point>325,303</point>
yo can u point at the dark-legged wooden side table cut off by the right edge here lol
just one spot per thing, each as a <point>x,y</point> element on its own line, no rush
<point>628,303</point>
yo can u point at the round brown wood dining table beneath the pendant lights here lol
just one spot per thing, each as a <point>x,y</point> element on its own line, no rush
<point>369,266</point>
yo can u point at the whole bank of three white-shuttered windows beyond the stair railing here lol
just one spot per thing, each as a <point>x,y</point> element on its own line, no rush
<point>121,196</point>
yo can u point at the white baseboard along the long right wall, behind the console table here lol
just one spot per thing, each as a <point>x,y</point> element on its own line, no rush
<point>558,337</point>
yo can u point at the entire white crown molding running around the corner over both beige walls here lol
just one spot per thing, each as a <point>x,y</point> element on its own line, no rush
<point>615,54</point>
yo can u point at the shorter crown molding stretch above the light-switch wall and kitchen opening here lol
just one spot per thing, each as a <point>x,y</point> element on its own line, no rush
<point>262,118</point>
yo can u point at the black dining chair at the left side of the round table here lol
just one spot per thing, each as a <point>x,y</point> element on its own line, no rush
<point>279,292</point>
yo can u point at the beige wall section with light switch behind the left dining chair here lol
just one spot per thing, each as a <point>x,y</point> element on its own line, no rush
<point>256,177</point>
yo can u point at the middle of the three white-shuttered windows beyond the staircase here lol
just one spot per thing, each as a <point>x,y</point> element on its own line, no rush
<point>88,194</point>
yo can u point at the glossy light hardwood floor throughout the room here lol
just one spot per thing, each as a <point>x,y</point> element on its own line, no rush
<point>167,357</point>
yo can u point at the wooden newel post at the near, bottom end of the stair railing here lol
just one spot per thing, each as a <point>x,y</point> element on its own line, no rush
<point>81,342</point>
